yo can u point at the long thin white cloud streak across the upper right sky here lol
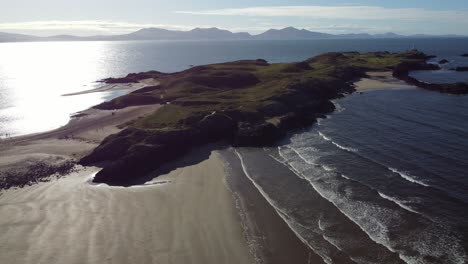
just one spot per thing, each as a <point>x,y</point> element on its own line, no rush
<point>337,12</point>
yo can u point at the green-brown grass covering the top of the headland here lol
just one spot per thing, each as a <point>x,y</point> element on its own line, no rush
<point>248,85</point>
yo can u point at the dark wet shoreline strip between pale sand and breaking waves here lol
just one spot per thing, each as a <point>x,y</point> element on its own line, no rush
<point>270,238</point>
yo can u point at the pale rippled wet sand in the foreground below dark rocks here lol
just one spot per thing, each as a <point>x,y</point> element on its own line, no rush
<point>190,217</point>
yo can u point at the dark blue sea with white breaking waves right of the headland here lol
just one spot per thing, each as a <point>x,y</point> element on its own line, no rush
<point>382,180</point>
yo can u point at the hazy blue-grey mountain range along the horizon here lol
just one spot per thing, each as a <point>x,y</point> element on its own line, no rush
<point>289,33</point>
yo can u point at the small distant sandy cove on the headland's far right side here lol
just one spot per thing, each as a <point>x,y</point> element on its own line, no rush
<point>380,80</point>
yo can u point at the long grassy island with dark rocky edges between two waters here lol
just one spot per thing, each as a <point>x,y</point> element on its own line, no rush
<point>242,103</point>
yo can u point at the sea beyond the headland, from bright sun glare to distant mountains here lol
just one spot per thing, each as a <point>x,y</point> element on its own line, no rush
<point>34,76</point>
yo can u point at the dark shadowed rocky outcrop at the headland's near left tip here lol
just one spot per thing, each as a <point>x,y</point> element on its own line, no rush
<point>147,151</point>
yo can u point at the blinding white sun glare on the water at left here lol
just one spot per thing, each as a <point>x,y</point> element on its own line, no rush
<point>34,76</point>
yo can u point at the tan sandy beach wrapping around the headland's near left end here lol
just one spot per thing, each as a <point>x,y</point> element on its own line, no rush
<point>186,215</point>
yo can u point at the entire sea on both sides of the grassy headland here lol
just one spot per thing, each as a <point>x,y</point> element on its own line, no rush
<point>383,179</point>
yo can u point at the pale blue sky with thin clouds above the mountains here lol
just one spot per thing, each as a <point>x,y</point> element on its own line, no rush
<point>106,17</point>
